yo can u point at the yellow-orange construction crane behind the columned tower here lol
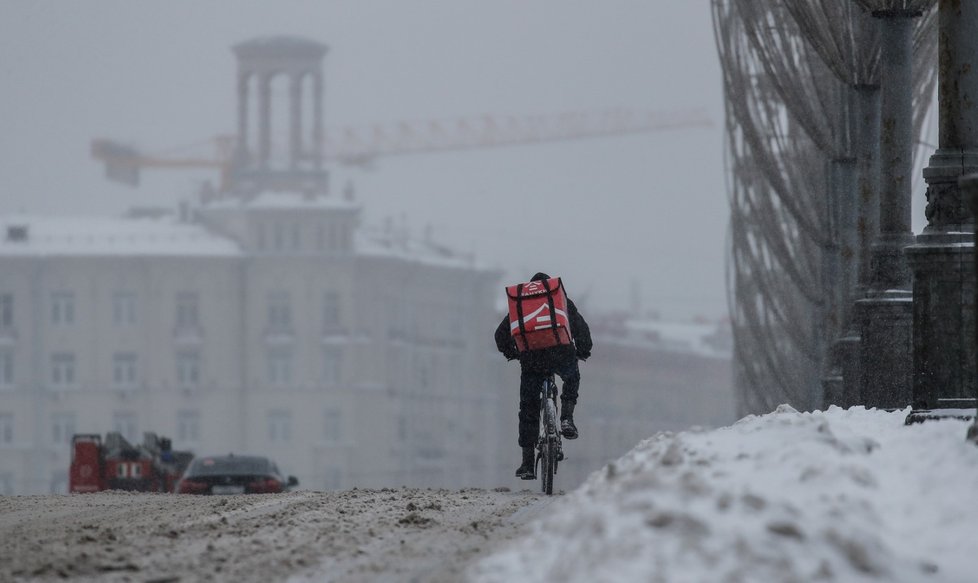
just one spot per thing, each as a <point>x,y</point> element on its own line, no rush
<point>362,146</point>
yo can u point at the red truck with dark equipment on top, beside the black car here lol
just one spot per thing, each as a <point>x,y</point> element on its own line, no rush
<point>116,464</point>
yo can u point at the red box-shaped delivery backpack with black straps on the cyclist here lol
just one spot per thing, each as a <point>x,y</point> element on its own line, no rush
<point>538,314</point>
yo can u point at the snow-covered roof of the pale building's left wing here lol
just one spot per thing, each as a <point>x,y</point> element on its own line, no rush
<point>26,235</point>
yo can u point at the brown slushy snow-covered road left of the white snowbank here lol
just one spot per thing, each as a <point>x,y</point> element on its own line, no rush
<point>356,536</point>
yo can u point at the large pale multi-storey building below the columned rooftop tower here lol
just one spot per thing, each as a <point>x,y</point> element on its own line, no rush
<point>271,326</point>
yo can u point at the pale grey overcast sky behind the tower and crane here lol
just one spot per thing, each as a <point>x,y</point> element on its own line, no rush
<point>599,212</point>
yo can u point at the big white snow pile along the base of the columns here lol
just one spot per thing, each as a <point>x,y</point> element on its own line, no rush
<point>842,495</point>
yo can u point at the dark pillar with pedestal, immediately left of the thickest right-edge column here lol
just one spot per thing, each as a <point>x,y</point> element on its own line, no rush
<point>885,316</point>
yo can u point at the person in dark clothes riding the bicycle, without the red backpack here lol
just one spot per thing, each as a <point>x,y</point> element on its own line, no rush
<point>535,367</point>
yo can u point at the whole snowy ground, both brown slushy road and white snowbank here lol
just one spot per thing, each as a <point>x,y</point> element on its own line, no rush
<point>847,496</point>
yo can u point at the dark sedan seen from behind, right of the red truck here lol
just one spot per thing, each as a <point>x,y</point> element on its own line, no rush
<point>234,474</point>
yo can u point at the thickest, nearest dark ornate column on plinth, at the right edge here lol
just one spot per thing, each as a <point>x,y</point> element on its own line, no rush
<point>942,259</point>
